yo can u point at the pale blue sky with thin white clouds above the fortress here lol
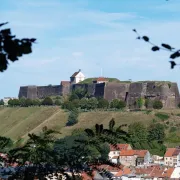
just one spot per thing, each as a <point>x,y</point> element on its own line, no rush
<point>90,35</point>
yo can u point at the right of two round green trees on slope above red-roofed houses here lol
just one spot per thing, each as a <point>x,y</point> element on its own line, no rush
<point>156,132</point>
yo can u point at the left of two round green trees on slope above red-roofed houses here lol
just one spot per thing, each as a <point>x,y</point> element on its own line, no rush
<point>138,132</point>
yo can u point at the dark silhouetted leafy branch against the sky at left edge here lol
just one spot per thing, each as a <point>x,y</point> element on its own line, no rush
<point>12,48</point>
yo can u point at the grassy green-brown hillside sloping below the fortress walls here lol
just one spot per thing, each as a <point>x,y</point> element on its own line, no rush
<point>18,122</point>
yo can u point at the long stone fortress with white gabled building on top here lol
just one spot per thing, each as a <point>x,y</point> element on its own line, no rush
<point>109,88</point>
